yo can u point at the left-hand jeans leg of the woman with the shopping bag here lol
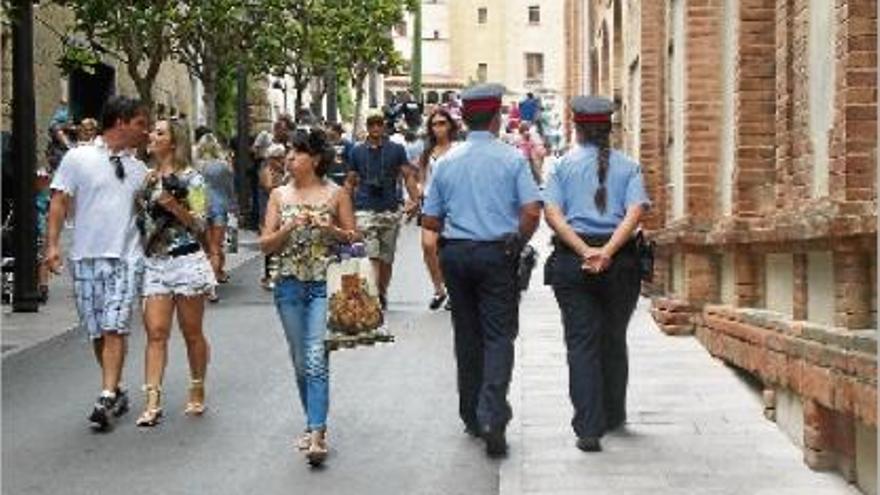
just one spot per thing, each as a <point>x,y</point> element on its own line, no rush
<point>290,304</point>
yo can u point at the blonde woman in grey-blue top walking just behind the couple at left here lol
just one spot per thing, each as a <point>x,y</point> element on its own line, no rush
<point>215,168</point>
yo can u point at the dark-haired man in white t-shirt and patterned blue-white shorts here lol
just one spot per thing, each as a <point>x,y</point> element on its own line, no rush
<point>101,182</point>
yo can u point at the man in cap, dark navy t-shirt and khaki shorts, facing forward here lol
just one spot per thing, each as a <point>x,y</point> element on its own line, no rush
<point>376,169</point>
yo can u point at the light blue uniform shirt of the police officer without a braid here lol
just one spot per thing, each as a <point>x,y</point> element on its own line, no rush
<point>479,188</point>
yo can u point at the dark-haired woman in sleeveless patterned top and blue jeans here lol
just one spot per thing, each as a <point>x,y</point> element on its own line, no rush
<point>305,219</point>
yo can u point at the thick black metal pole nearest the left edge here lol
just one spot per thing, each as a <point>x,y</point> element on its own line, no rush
<point>24,156</point>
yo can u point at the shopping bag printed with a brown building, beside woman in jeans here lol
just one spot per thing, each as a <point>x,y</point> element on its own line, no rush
<point>354,313</point>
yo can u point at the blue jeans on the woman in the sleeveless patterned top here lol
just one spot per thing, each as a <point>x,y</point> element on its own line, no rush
<point>302,307</point>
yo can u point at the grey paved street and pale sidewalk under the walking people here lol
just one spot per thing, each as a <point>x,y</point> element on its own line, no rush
<point>695,427</point>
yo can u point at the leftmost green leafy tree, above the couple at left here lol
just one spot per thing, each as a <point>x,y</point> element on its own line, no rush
<point>136,31</point>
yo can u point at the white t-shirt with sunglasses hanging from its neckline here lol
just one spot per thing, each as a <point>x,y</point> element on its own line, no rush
<point>105,206</point>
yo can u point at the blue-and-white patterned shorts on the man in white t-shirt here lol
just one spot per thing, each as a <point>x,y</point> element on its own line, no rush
<point>105,290</point>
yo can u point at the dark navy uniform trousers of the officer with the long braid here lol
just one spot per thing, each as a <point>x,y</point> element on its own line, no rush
<point>596,309</point>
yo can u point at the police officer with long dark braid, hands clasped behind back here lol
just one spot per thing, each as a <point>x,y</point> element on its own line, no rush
<point>594,201</point>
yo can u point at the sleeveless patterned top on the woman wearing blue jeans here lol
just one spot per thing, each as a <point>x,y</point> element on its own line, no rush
<point>308,251</point>
